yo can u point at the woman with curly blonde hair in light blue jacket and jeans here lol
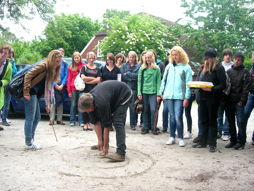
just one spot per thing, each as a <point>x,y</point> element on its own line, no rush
<point>175,92</point>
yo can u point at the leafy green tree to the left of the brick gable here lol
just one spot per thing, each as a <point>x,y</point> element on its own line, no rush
<point>71,32</point>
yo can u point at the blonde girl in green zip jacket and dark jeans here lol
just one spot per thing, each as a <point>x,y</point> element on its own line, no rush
<point>149,80</point>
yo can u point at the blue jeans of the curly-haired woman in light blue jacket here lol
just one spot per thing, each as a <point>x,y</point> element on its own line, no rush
<point>175,117</point>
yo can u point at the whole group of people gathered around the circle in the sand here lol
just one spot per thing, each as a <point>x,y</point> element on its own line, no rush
<point>148,79</point>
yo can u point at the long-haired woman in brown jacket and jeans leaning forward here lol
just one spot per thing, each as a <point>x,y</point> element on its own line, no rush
<point>38,81</point>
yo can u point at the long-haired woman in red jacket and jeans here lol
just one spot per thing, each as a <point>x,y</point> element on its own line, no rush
<point>73,71</point>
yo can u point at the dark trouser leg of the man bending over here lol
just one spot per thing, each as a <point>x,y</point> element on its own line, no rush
<point>119,118</point>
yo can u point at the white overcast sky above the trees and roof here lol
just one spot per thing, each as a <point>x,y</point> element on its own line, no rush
<point>94,9</point>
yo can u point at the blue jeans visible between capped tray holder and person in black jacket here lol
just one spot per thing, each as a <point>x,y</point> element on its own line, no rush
<point>222,126</point>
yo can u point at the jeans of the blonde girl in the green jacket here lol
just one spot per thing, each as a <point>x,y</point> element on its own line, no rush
<point>150,104</point>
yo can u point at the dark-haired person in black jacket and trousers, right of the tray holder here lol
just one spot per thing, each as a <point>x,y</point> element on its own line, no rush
<point>237,98</point>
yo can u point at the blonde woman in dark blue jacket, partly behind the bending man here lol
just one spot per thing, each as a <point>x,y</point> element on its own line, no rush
<point>129,72</point>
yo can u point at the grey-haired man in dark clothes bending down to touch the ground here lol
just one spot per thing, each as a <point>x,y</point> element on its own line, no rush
<point>107,103</point>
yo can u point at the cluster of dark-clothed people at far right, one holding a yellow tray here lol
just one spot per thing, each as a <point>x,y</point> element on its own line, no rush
<point>232,90</point>
